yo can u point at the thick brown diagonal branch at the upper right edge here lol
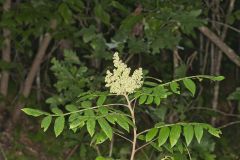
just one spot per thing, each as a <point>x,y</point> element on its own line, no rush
<point>221,45</point>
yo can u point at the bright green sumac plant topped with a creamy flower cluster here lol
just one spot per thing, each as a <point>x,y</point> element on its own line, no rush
<point>105,114</point>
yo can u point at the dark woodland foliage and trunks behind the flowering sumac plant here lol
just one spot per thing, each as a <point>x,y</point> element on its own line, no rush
<point>161,36</point>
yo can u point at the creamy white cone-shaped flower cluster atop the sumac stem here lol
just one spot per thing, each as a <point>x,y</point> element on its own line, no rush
<point>119,81</point>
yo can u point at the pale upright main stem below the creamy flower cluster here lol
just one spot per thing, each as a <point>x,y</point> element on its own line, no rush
<point>134,141</point>
